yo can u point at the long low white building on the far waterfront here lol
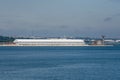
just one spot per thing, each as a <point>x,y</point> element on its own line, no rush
<point>49,42</point>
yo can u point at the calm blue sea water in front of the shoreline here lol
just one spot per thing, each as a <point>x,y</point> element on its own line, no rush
<point>59,63</point>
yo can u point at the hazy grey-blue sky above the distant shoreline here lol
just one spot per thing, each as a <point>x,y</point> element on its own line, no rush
<point>58,18</point>
